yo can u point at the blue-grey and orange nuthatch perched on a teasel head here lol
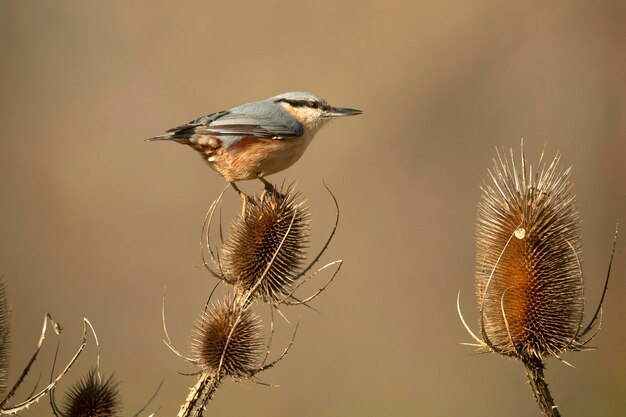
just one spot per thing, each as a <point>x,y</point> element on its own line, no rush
<point>257,139</point>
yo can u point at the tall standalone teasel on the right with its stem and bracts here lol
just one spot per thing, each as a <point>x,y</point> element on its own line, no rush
<point>529,277</point>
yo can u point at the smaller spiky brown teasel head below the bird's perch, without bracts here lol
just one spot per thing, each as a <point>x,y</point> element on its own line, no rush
<point>227,340</point>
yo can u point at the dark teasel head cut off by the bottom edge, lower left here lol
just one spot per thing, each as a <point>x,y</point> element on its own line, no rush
<point>93,397</point>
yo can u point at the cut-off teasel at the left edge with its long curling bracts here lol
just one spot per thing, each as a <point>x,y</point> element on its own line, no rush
<point>5,407</point>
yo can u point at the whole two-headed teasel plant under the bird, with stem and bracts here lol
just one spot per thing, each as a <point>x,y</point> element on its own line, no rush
<point>263,258</point>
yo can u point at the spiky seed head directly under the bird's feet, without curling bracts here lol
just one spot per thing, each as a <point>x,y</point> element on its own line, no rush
<point>264,251</point>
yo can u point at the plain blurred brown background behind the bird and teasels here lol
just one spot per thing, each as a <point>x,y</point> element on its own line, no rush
<point>96,222</point>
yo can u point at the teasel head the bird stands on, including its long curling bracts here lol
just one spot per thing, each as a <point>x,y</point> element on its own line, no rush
<point>264,251</point>
